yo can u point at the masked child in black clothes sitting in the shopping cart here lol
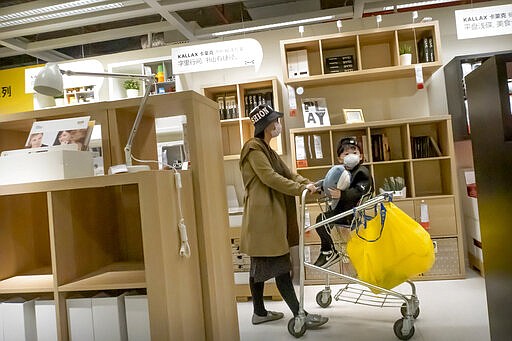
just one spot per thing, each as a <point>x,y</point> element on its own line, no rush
<point>345,192</point>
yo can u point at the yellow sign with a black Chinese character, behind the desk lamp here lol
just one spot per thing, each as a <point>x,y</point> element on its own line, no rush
<point>13,98</point>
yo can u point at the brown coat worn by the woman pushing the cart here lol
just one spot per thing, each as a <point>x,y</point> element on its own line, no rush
<point>269,225</point>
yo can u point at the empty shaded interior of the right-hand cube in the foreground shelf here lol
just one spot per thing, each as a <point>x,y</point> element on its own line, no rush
<point>95,228</point>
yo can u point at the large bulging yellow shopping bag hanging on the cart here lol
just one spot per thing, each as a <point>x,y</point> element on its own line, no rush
<point>391,249</point>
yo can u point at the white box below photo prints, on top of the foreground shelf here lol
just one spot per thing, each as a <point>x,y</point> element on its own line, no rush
<point>50,165</point>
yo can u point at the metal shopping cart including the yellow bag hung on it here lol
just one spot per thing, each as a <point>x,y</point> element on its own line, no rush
<point>378,233</point>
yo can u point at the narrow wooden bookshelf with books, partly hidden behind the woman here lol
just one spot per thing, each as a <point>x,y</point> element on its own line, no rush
<point>236,129</point>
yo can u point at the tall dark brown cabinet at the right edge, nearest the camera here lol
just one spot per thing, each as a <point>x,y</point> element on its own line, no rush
<point>489,97</point>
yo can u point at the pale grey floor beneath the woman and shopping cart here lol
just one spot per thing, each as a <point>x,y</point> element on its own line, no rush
<point>450,310</point>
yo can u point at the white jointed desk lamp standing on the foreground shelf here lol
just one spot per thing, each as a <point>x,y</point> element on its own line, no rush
<point>49,82</point>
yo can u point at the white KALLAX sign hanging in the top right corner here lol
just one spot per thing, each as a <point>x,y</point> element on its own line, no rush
<point>484,22</point>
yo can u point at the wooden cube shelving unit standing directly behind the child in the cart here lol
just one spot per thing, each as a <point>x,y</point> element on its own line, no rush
<point>431,180</point>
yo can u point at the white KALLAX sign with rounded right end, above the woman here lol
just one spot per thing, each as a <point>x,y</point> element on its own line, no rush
<point>215,56</point>
